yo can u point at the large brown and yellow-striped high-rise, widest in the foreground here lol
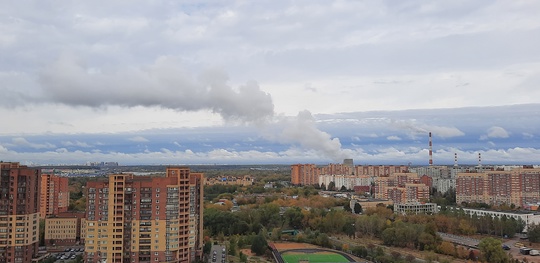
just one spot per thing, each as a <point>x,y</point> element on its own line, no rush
<point>145,219</point>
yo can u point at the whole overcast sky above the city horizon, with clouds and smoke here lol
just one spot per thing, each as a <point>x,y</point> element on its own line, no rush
<point>269,82</point>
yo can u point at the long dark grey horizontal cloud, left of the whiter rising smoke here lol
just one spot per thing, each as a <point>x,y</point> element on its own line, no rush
<point>165,83</point>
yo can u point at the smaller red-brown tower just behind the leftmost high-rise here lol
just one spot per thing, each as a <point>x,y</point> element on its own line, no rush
<point>54,194</point>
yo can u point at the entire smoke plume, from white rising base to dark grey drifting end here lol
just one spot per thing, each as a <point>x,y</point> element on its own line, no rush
<point>166,84</point>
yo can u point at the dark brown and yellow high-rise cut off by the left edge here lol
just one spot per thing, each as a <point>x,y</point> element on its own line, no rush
<point>19,212</point>
